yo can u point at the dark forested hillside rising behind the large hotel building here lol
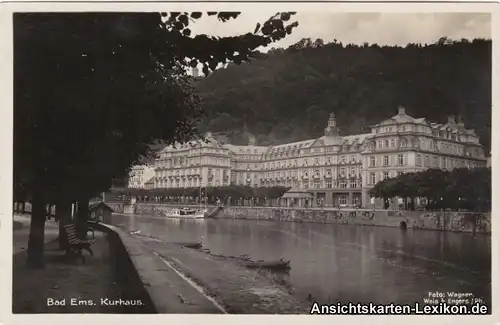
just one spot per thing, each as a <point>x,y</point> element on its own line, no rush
<point>287,94</point>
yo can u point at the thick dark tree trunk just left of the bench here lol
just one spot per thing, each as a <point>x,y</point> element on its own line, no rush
<point>37,228</point>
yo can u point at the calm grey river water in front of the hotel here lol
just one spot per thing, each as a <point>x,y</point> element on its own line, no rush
<point>343,263</point>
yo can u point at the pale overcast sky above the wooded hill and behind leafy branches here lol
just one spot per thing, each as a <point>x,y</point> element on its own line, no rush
<point>382,28</point>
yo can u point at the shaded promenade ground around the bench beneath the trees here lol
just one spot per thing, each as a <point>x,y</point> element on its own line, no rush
<point>86,283</point>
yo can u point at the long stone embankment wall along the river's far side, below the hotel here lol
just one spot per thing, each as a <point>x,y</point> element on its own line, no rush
<point>450,221</point>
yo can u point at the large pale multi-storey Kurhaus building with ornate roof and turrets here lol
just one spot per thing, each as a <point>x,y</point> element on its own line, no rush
<point>338,170</point>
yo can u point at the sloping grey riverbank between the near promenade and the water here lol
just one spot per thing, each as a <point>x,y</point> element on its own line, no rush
<point>230,287</point>
